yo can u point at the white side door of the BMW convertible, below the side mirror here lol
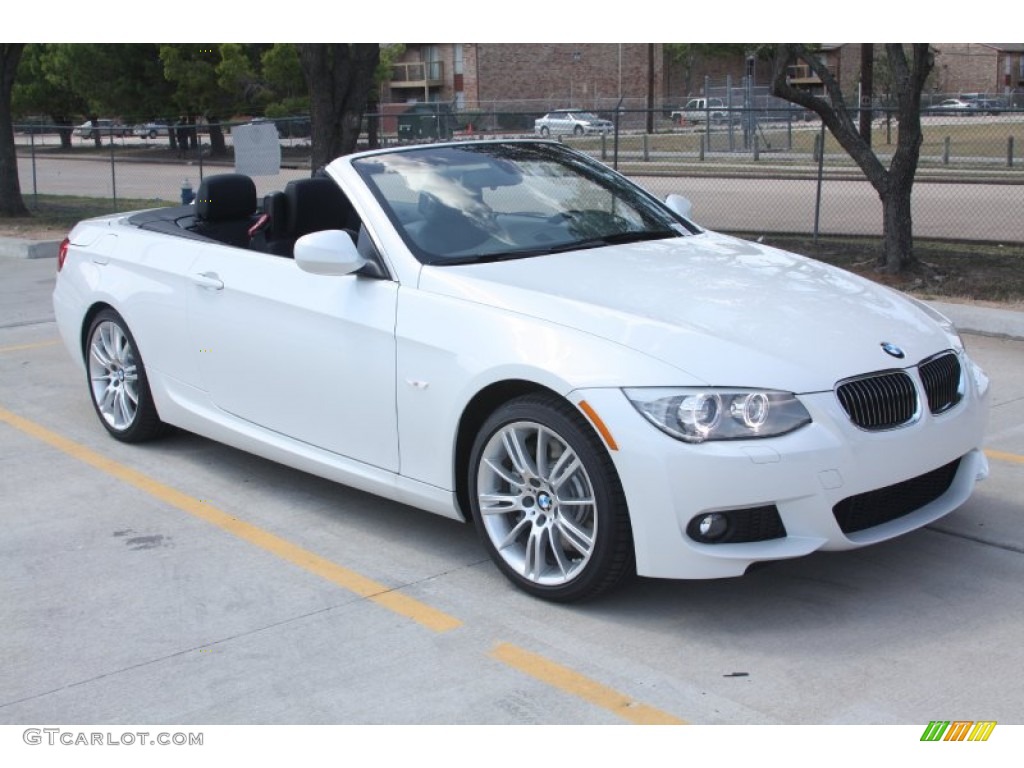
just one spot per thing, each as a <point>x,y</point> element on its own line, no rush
<point>309,357</point>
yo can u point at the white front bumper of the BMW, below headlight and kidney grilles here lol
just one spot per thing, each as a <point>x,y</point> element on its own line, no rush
<point>803,475</point>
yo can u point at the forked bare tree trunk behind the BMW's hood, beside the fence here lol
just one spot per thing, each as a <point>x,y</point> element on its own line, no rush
<point>911,67</point>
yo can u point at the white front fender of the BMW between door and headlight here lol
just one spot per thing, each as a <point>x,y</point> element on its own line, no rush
<point>450,350</point>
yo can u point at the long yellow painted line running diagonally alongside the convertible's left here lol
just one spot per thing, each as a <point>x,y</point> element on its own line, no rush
<point>349,580</point>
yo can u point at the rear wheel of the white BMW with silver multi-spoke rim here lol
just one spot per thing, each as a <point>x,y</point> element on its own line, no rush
<point>118,385</point>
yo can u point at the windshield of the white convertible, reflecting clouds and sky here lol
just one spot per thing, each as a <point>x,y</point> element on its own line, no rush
<point>509,200</point>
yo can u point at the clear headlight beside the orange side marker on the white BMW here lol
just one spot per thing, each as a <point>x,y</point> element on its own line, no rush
<point>713,414</point>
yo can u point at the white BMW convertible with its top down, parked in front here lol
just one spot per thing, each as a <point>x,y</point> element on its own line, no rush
<point>510,333</point>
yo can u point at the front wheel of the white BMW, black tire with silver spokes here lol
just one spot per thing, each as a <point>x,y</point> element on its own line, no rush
<point>547,501</point>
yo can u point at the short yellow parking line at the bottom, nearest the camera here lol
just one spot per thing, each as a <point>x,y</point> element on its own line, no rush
<point>579,686</point>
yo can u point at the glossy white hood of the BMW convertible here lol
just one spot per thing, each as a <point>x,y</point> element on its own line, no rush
<point>727,312</point>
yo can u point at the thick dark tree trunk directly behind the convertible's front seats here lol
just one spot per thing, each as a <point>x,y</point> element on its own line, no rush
<point>340,78</point>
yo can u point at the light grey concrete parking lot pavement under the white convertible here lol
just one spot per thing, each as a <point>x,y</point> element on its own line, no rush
<point>184,582</point>
